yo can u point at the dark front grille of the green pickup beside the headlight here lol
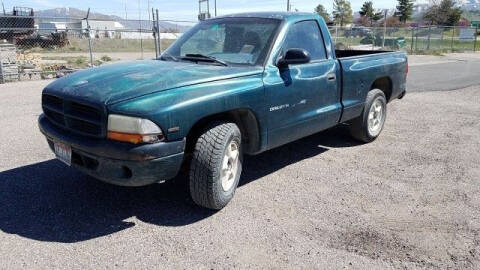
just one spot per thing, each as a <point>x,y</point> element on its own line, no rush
<point>76,117</point>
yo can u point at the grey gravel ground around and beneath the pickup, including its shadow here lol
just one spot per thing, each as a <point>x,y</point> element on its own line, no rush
<point>409,199</point>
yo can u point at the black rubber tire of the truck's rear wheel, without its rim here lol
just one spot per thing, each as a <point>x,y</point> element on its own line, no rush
<point>359,127</point>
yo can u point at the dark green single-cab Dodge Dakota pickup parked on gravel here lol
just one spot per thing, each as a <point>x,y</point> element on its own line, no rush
<point>232,85</point>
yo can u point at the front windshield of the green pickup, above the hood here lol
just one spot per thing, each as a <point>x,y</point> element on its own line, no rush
<point>230,40</point>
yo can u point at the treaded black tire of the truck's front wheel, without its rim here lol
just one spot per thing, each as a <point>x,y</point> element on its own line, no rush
<point>205,180</point>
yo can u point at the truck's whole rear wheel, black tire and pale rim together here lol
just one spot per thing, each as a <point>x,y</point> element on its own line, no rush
<point>368,126</point>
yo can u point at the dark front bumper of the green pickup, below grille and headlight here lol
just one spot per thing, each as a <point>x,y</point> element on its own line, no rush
<point>118,163</point>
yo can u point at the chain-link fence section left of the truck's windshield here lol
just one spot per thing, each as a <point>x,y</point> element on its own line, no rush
<point>33,47</point>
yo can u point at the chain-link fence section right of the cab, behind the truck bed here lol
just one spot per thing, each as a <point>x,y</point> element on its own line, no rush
<point>430,39</point>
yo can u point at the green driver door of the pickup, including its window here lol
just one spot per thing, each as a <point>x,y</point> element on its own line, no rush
<point>303,98</point>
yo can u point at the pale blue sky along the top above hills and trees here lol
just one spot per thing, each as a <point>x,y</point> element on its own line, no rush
<point>184,9</point>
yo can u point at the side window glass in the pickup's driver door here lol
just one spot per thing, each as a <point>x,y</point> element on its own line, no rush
<point>306,35</point>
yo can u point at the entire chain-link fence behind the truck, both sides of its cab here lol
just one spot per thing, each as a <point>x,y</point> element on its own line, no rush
<point>35,47</point>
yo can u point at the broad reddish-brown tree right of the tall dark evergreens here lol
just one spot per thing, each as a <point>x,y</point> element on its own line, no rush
<point>444,13</point>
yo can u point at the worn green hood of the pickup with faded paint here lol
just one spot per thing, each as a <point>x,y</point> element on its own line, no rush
<point>118,82</point>
